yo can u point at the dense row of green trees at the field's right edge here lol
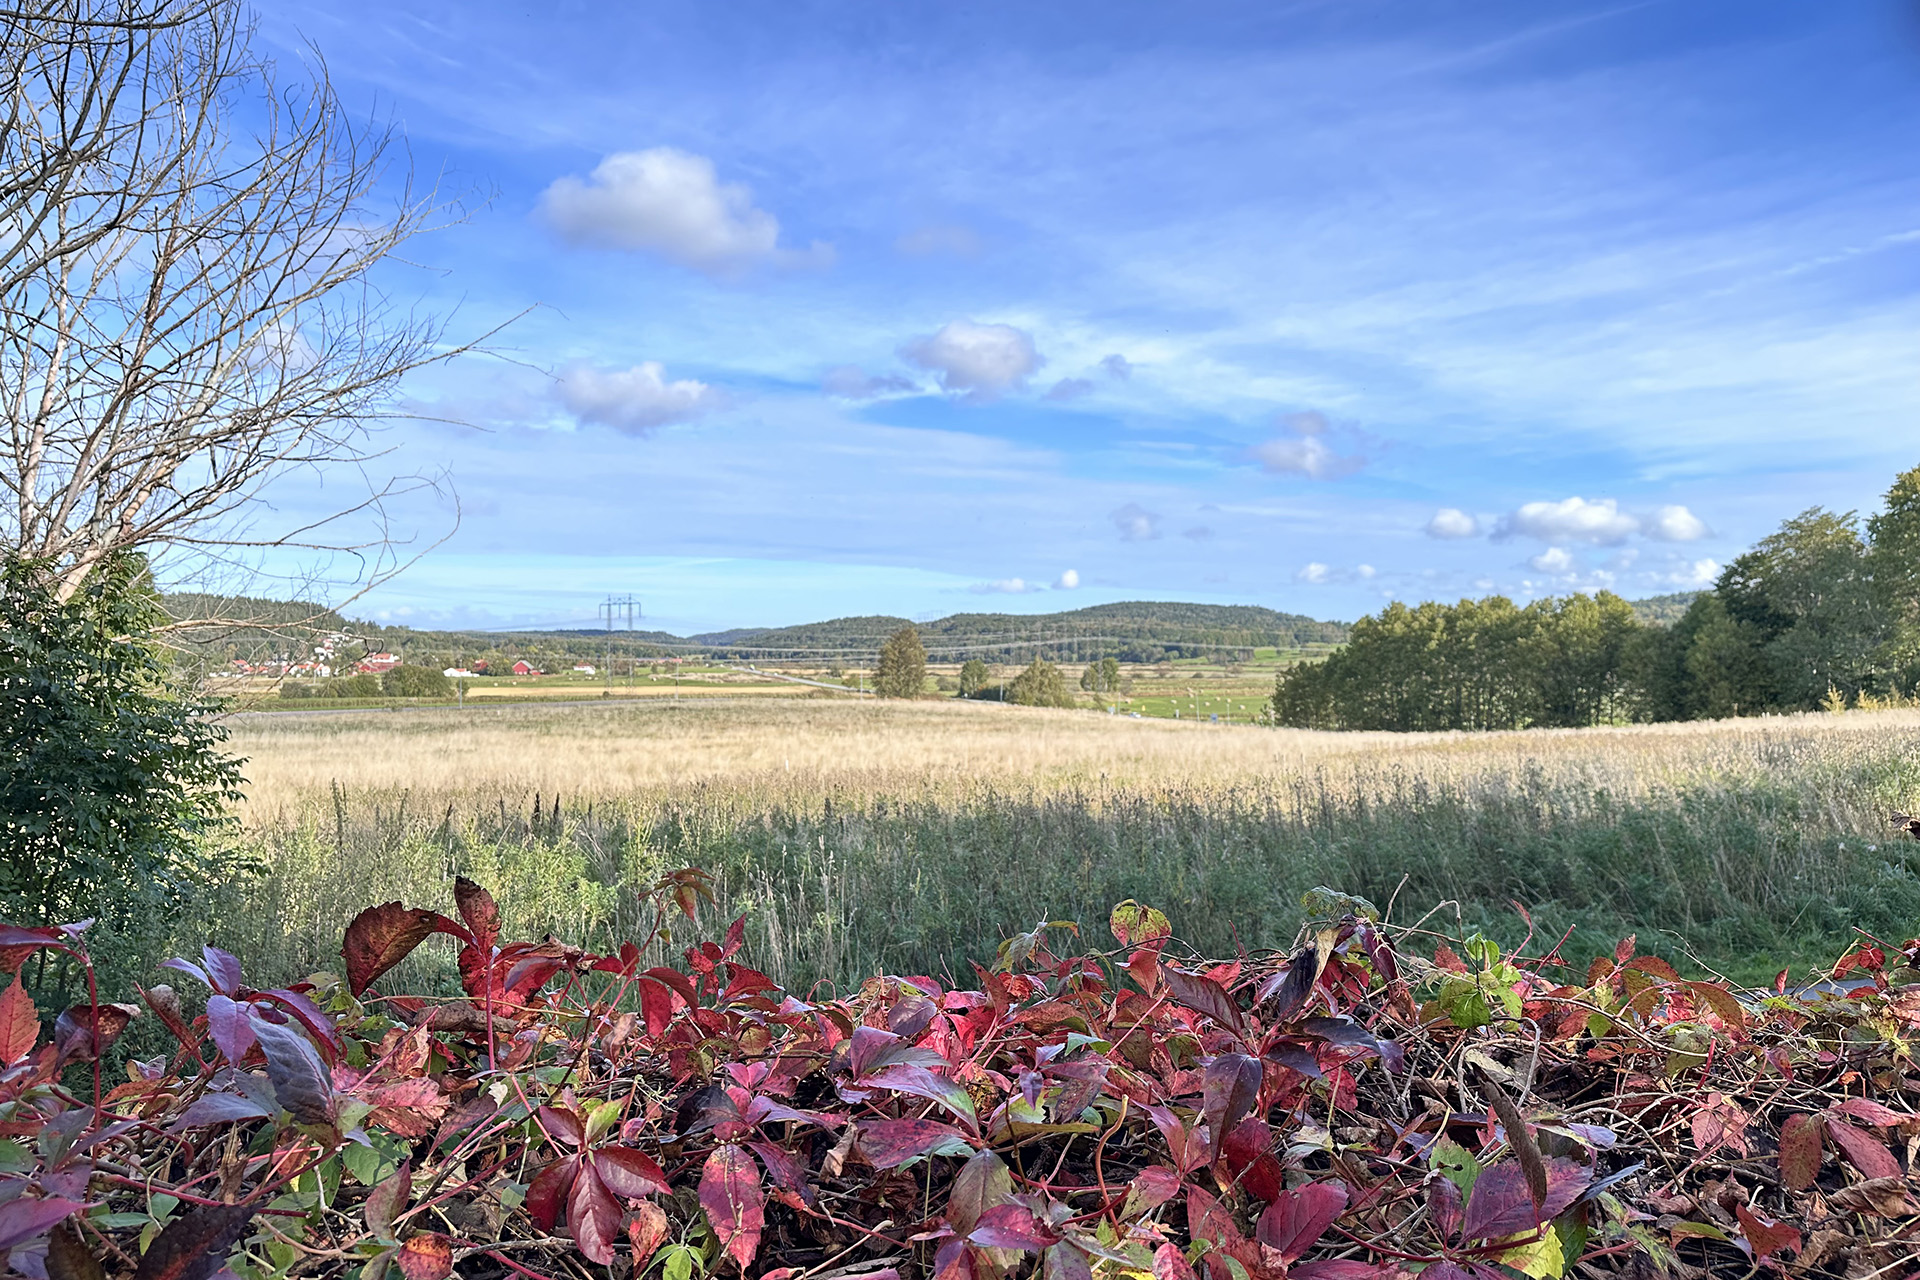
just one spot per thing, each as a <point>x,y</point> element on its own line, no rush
<point>1821,613</point>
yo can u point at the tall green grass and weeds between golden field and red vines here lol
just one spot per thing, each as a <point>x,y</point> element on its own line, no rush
<point>1756,866</point>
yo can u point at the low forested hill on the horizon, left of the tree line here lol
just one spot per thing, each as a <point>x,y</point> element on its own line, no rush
<point>1130,630</point>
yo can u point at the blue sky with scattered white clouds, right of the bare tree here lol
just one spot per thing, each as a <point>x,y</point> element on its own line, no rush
<point>917,310</point>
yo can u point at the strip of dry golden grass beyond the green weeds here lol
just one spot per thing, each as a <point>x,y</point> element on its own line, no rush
<point>924,749</point>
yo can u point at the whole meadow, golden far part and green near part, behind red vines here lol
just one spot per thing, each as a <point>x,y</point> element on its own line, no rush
<point>909,838</point>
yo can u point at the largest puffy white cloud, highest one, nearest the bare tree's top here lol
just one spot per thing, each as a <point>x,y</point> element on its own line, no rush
<point>673,204</point>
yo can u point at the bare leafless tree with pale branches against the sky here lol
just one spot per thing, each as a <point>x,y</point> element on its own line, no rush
<point>187,287</point>
